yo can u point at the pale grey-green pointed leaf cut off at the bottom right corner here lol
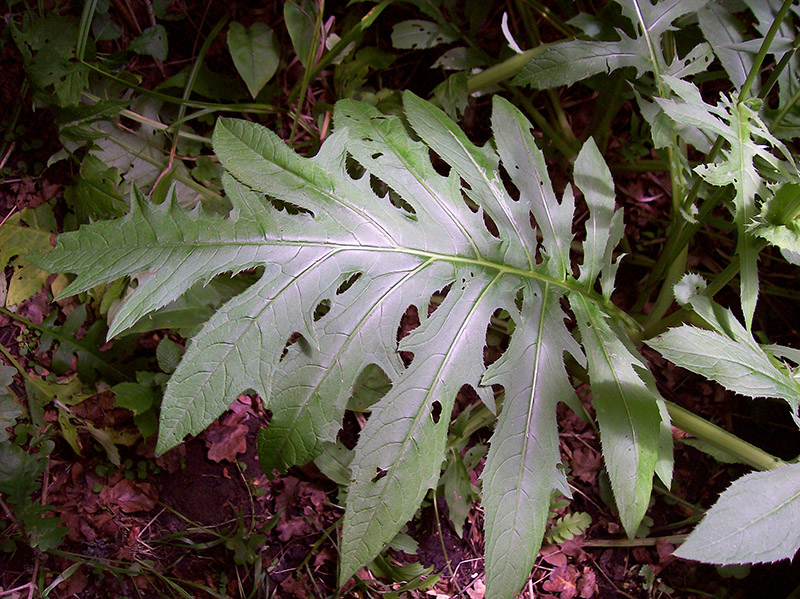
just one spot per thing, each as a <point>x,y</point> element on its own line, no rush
<point>757,519</point>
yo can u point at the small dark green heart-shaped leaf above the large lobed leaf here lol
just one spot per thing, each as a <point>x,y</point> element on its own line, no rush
<point>255,52</point>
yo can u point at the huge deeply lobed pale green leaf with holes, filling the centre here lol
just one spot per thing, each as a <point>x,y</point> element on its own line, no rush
<point>365,240</point>
